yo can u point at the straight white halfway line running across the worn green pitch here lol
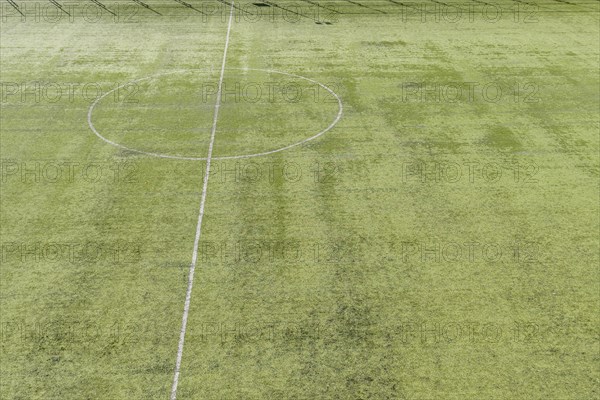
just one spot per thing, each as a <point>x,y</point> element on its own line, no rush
<point>188,294</point>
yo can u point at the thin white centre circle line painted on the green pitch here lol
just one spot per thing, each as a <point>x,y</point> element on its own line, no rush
<point>181,157</point>
